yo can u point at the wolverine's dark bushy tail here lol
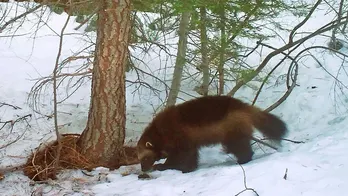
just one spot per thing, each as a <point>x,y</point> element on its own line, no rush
<point>270,125</point>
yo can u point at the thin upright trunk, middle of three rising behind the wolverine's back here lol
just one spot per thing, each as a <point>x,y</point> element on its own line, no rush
<point>204,51</point>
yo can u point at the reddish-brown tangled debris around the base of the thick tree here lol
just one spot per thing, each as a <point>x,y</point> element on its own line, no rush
<point>41,164</point>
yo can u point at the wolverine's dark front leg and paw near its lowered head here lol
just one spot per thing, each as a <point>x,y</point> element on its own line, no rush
<point>185,160</point>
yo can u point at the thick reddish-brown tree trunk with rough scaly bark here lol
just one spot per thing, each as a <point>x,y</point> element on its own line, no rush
<point>103,138</point>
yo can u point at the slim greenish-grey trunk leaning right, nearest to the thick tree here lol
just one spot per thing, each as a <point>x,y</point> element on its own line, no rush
<point>180,59</point>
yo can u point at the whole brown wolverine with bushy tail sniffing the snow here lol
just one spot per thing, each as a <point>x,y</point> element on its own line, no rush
<point>177,132</point>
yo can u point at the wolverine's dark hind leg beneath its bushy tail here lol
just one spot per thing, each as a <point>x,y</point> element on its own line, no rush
<point>237,142</point>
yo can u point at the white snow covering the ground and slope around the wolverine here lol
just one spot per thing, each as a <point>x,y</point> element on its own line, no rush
<point>315,112</point>
